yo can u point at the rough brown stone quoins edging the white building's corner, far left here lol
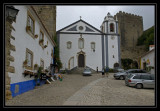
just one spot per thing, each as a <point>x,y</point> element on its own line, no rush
<point>8,58</point>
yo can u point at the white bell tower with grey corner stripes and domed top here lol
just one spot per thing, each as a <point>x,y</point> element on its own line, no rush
<point>110,42</point>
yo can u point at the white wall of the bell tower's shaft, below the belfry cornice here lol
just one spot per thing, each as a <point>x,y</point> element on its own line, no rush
<point>112,51</point>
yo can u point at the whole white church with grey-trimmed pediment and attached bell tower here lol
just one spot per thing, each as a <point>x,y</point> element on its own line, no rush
<point>83,45</point>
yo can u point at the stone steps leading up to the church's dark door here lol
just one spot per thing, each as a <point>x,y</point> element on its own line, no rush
<point>79,70</point>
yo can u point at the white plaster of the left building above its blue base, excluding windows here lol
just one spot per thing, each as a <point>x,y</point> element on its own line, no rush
<point>23,40</point>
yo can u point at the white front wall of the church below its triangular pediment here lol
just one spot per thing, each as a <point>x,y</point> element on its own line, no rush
<point>93,59</point>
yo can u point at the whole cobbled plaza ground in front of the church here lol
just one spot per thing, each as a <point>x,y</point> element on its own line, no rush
<point>78,90</point>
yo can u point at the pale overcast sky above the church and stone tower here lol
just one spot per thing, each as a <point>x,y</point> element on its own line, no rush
<point>94,15</point>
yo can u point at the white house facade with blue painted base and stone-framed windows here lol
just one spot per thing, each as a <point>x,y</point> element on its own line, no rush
<point>33,46</point>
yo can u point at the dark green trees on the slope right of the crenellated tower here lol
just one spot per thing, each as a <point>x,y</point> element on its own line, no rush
<point>147,38</point>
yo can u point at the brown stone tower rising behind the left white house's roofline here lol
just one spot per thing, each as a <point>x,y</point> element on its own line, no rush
<point>47,14</point>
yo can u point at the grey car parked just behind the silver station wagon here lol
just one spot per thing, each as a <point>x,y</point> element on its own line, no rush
<point>123,74</point>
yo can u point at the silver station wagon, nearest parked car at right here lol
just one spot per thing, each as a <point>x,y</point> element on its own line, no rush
<point>143,80</point>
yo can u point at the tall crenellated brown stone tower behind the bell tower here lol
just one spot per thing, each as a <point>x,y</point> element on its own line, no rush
<point>130,28</point>
